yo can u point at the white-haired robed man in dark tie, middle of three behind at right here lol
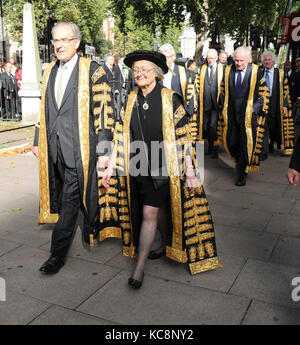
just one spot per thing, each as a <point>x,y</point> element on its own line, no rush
<point>244,100</point>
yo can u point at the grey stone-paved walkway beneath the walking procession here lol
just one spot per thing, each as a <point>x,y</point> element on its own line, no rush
<point>258,240</point>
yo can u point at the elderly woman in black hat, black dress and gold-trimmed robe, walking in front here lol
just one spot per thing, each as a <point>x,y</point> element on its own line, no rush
<point>161,189</point>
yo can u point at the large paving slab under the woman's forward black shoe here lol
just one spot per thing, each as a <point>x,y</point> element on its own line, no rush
<point>163,302</point>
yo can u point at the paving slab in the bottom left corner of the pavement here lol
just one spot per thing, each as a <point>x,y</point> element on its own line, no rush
<point>19,309</point>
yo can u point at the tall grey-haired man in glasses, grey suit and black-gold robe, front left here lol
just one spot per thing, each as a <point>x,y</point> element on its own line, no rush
<point>75,116</point>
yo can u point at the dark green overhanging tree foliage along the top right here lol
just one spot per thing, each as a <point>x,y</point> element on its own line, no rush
<point>233,16</point>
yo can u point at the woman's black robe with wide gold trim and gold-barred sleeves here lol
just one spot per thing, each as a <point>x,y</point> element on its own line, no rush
<point>191,238</point>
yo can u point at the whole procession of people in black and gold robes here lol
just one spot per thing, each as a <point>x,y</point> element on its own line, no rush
<point>119,142</point>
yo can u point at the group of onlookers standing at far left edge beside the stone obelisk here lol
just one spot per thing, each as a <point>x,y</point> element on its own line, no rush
<point>10,84</point>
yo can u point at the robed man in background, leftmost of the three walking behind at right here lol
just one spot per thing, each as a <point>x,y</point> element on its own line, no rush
<point>208,82</point>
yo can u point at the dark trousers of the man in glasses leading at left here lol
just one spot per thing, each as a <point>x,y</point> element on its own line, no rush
<point>70,204</point>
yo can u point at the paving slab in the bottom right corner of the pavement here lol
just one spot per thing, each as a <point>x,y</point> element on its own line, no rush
<point>261,313</point>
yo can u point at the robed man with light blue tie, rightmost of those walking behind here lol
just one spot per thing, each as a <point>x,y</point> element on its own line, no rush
<point>280,128</point>
